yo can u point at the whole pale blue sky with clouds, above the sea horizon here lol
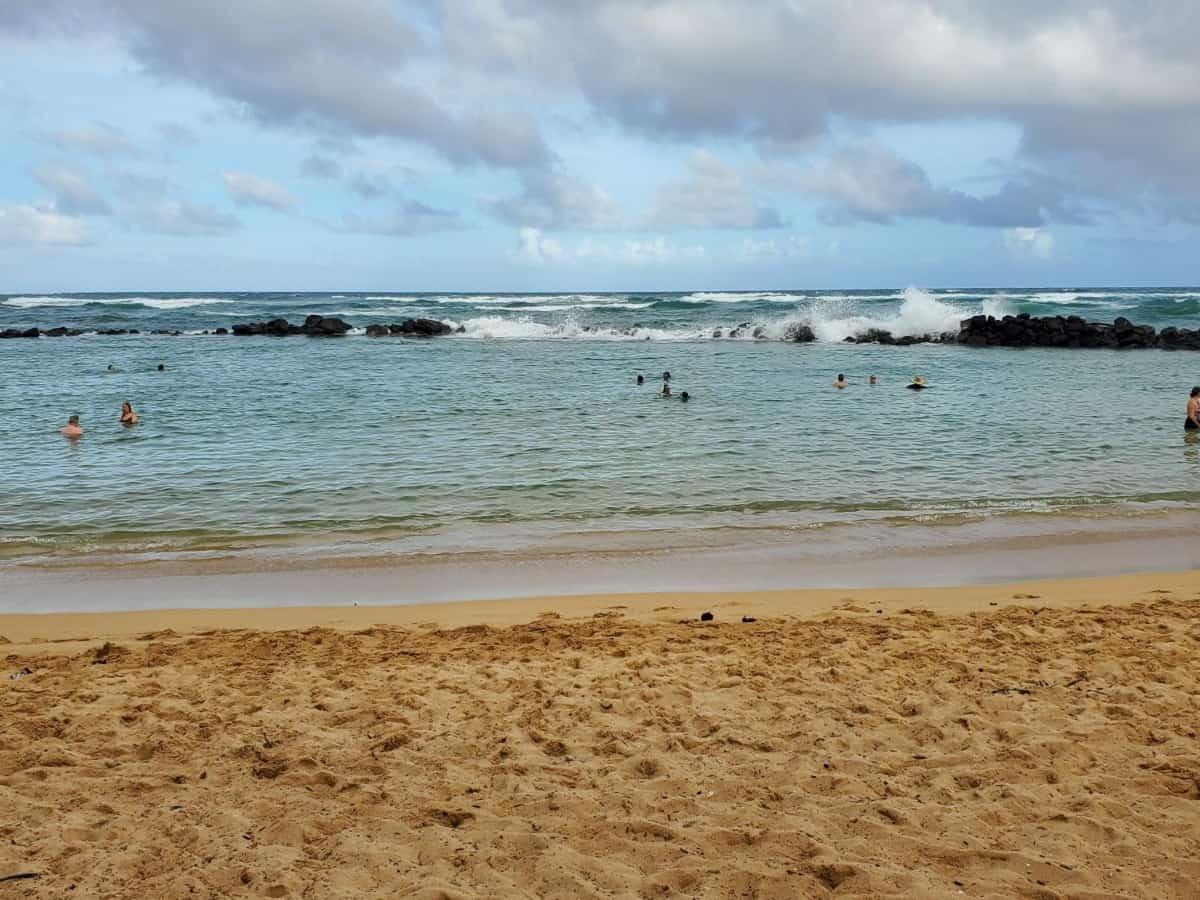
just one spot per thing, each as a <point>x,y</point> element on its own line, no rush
<point>597,145</point>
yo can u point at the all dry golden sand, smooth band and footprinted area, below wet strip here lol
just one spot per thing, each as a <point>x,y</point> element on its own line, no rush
<point>1034,741</point>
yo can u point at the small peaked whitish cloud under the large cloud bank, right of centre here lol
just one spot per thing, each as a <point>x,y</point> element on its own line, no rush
<point>713,196</point>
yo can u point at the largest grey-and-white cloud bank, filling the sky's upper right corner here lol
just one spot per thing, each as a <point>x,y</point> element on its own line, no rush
<point>1084,81</point>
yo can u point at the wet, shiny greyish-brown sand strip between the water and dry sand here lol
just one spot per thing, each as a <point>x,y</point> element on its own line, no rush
<point>914,560</point>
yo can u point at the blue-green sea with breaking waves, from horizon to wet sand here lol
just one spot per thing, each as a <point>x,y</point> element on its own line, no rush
<point>529,431</point>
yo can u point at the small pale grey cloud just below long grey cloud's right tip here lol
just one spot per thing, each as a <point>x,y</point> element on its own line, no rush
<point>557,201</point>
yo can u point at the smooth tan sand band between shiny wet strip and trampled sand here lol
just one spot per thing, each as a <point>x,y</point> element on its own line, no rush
<point>65,632</point>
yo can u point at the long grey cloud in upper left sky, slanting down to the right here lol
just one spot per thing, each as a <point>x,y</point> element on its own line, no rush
<point>314,64</point>
